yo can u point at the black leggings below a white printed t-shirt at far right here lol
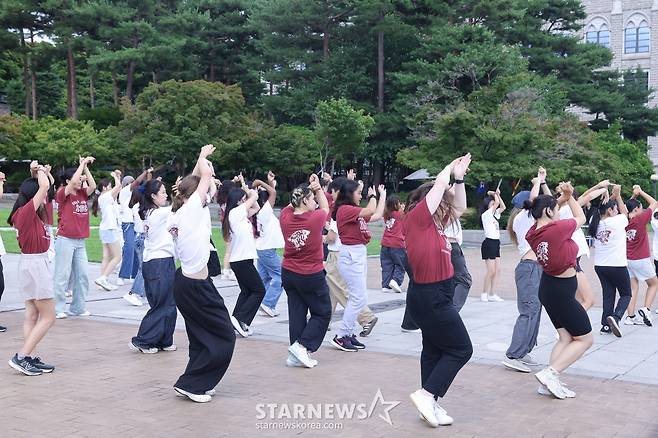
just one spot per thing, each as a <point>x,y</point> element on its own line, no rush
<point>613,279</point>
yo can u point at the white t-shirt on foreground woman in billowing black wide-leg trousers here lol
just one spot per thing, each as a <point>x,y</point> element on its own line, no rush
<point>190,227</point>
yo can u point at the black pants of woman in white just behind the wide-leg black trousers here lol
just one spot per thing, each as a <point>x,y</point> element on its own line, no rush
<point>252,290</point>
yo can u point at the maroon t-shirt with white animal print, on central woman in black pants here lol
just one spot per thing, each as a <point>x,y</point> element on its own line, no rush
<point>303,237</point>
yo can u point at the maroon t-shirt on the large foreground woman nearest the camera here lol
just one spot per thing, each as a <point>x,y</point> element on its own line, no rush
<point>428,250</point>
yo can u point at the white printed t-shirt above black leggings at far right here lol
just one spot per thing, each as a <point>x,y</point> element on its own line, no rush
<point>610,242</point>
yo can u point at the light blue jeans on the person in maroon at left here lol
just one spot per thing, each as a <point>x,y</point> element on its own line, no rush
<point>70,262</point>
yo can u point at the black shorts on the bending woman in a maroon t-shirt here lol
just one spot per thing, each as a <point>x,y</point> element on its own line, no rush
<point>558,296</point>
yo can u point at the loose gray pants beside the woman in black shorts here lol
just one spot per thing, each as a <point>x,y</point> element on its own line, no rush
<point>524,338</point>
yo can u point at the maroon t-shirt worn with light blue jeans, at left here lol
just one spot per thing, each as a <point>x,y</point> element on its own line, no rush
<point>73,214</point>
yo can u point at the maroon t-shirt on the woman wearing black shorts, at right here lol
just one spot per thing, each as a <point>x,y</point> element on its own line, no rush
<point>552,244</point>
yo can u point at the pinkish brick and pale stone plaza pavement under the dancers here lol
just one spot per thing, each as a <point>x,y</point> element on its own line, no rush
<point>101,388</point>
